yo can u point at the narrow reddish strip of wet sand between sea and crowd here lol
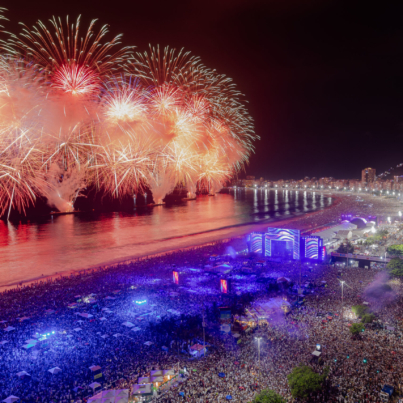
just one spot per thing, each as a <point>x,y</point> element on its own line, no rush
<point>245,229</point>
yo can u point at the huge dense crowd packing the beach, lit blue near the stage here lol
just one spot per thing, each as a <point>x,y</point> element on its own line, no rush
<point>69,338</point>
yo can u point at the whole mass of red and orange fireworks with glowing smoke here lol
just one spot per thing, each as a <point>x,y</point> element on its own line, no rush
<point>81,111</point>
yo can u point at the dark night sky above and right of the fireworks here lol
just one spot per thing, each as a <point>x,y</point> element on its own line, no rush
<point>323,78</point>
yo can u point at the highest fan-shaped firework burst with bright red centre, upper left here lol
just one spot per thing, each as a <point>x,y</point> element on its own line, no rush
<point>75,65</point>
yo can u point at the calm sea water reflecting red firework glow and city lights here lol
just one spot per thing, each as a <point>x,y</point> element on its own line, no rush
<point>30,249</point>
